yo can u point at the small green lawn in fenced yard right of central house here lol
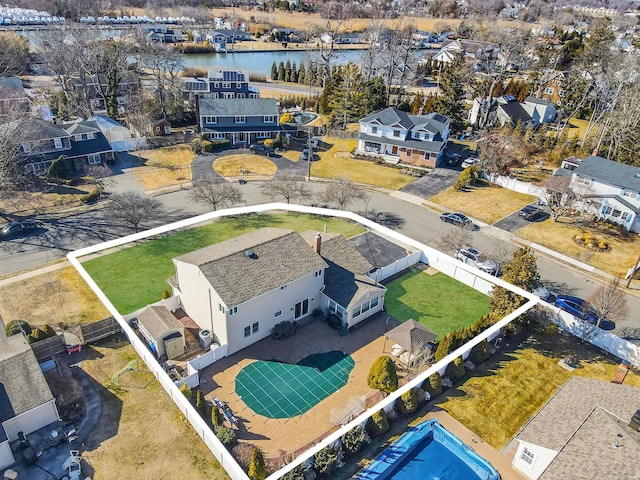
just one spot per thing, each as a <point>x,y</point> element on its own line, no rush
<point>438,302</point>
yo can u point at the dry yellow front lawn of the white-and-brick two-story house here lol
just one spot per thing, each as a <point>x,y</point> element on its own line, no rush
<point>335,162</point>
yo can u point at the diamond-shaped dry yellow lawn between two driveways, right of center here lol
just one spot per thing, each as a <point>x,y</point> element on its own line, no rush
<point>488,204</point>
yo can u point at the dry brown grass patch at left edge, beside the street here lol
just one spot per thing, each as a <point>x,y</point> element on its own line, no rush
<point>65,298</point>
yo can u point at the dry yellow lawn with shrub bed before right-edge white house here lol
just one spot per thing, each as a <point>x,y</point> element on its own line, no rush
<point>560,235</point>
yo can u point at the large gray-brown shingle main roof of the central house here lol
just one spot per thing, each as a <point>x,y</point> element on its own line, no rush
<point>279,257</point>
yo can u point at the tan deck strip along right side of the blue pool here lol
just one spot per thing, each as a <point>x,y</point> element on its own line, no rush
<point>486,451</point>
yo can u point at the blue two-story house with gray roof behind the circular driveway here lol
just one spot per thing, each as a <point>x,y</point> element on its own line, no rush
<point>240,120</point>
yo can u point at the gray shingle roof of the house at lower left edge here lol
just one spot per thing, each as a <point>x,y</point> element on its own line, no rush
<point>22,384</point>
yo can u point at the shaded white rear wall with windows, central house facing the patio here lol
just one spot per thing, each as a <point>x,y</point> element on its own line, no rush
<point>263,308</point>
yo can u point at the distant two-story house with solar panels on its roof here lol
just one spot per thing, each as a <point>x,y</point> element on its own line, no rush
<point>220,83</point>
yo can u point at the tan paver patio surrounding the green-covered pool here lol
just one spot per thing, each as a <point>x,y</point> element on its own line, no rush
<point>274,436</point>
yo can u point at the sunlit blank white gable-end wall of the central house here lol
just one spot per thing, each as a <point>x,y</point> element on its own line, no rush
<point>200,300</point>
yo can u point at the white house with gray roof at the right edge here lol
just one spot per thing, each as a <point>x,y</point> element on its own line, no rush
<point>614,187</point>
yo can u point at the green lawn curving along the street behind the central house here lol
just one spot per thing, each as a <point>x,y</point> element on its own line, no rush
<point>137,276</point>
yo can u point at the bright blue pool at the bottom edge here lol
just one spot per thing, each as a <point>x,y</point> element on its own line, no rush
<point>429,452</point>
